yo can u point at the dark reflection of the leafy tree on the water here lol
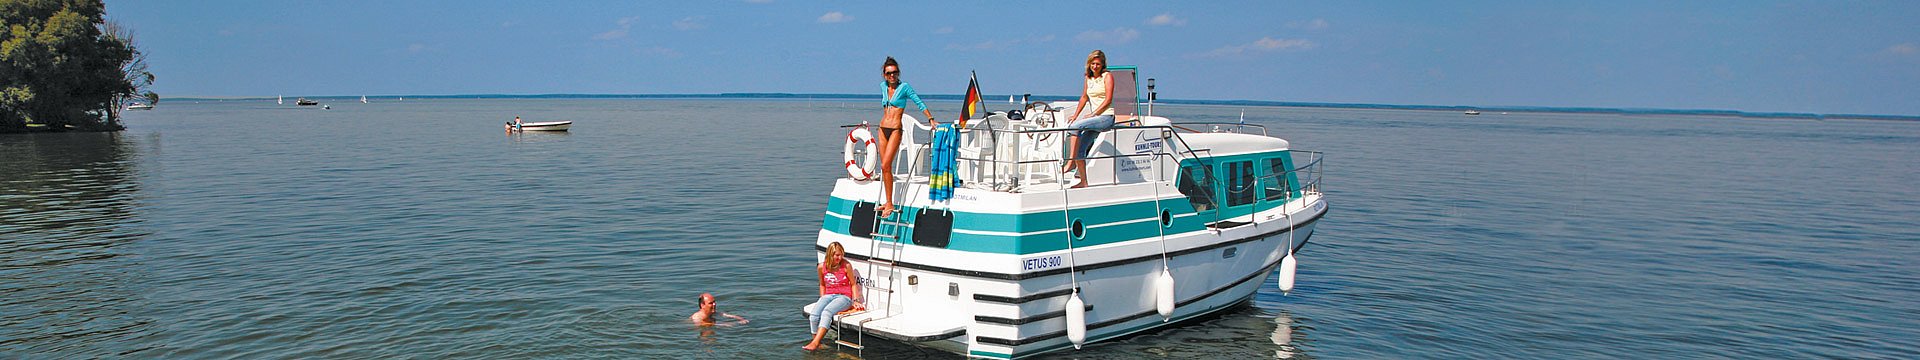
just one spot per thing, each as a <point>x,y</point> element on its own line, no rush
<point>68,277</point>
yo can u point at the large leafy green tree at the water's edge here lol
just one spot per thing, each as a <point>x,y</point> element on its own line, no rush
<point>62,68</point>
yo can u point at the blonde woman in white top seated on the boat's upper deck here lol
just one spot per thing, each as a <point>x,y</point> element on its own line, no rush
<point>1095,114</point>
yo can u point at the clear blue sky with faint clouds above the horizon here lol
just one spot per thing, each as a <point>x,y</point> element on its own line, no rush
<point>1750,56</point>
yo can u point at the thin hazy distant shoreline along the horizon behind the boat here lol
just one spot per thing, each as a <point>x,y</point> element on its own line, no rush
<point>1067,99</point>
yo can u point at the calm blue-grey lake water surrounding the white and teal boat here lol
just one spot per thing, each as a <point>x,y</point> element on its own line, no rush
<point>421,231</point>
